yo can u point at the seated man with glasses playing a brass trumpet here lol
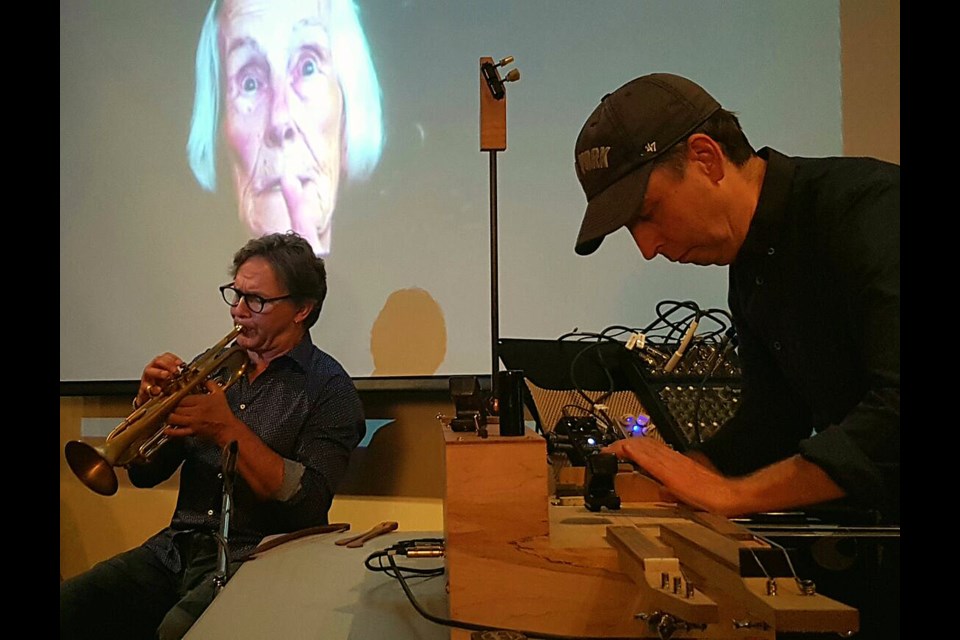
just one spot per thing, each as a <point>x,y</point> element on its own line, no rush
<point>295,416</point>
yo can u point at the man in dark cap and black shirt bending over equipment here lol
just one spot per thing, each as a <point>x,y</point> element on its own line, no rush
<point>813,250</point>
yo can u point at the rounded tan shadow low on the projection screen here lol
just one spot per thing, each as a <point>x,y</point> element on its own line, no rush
<point>409,336</point>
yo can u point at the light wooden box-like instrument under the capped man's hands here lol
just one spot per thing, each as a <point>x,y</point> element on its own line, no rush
<point>520,560</point>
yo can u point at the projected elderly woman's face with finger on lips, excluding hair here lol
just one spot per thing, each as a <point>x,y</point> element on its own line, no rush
<point>283,115</point>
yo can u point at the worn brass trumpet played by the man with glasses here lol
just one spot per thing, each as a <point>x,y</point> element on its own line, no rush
<point>137,439</point>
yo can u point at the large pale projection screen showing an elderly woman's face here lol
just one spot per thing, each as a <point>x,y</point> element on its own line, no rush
<point>145,238</point>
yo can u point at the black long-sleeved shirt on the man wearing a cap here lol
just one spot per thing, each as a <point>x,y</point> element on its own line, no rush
<point>815,297</point>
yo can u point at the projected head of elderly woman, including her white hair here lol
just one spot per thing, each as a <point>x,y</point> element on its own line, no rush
<point>300,110</point>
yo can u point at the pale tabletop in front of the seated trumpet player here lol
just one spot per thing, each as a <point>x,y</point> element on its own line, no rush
<point>312,588</point>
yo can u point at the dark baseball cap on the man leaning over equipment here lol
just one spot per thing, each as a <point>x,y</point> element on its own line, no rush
<point>628,129</point>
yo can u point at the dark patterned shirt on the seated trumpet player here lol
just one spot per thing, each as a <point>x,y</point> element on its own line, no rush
<point>305,407</point>
